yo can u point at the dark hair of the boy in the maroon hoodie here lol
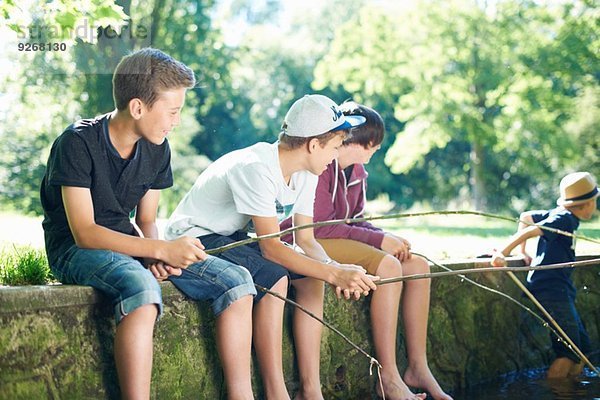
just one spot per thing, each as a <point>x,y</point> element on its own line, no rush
<point>371,132</point>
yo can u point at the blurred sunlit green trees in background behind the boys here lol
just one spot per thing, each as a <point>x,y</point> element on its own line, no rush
<point>487,103</point>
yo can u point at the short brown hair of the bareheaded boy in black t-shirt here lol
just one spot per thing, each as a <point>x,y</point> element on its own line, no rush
<point>145,73</point>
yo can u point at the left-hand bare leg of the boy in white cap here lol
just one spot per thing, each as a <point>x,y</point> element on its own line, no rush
<point>268,331</point>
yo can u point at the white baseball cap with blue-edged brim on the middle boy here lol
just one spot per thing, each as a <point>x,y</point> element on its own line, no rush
<point>315,114</point>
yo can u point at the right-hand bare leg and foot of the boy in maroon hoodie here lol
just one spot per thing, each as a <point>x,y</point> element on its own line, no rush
<point>415,313</point>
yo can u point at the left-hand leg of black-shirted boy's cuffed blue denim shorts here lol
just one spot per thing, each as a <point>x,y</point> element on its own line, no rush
<point>123,279</point>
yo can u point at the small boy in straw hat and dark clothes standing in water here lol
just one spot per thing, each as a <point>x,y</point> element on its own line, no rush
<point>554,288</point>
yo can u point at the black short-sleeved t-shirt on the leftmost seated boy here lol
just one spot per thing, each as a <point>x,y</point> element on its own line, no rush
<point>83,156</point>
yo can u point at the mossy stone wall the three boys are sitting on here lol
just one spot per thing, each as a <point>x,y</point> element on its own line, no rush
<point>56,341</point>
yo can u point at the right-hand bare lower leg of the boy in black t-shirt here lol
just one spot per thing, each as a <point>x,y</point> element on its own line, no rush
<point>234,340</point>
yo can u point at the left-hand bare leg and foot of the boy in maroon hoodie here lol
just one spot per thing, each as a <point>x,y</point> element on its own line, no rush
<point>384,323</point>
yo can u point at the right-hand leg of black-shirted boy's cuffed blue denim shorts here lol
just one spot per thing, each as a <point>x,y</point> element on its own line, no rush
<point>216,280</point>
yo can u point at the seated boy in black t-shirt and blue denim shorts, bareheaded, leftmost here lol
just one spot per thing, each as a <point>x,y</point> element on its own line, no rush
<point>98,172</point>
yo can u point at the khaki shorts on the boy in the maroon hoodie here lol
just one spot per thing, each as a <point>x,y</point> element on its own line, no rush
<point>346,251</point>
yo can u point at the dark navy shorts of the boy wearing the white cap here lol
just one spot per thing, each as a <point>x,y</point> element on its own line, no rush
<point>264,272</point>
